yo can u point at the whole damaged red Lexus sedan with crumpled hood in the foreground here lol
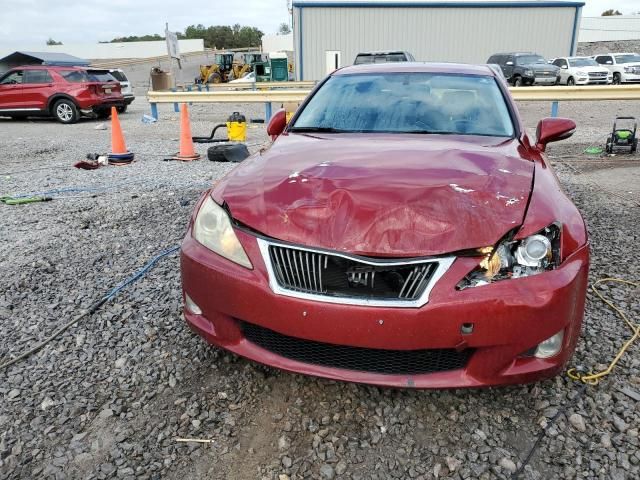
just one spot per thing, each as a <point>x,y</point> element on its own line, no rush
<point>402,230</point>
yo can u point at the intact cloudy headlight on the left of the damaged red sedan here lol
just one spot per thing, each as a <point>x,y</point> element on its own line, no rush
<point>212,228</point>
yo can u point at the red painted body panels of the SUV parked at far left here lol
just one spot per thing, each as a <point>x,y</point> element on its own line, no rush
<point>38,98</point>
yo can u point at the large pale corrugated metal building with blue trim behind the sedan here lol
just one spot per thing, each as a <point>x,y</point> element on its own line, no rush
<point>329,33</point>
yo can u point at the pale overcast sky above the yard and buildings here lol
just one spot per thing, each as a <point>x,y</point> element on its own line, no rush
<point>25,23</point>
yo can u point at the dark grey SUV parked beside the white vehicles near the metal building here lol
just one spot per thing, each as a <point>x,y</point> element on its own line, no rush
<point>526,69</point>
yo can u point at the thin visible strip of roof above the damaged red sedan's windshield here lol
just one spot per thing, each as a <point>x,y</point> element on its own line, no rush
<point>417,67</point>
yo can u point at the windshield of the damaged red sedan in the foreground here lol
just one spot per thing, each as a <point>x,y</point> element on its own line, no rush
<point>407,103</point>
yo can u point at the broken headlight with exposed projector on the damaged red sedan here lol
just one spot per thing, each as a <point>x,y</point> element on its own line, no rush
<point>516,258</point>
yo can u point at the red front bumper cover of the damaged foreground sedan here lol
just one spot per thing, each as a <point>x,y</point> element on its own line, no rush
<point>509,318</point>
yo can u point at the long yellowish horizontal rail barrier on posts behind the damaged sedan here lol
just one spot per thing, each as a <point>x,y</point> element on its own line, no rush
<point>530,94</point>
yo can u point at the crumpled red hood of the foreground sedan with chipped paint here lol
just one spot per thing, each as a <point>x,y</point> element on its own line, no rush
<point>382,195</point>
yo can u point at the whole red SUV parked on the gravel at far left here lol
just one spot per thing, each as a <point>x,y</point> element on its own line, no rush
<point>65,93</point>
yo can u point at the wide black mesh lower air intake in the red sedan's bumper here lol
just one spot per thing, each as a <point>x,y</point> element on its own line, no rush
<point>407,362</point>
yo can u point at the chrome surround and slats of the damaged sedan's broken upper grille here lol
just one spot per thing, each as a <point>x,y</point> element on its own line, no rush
<point>298,255</point>
